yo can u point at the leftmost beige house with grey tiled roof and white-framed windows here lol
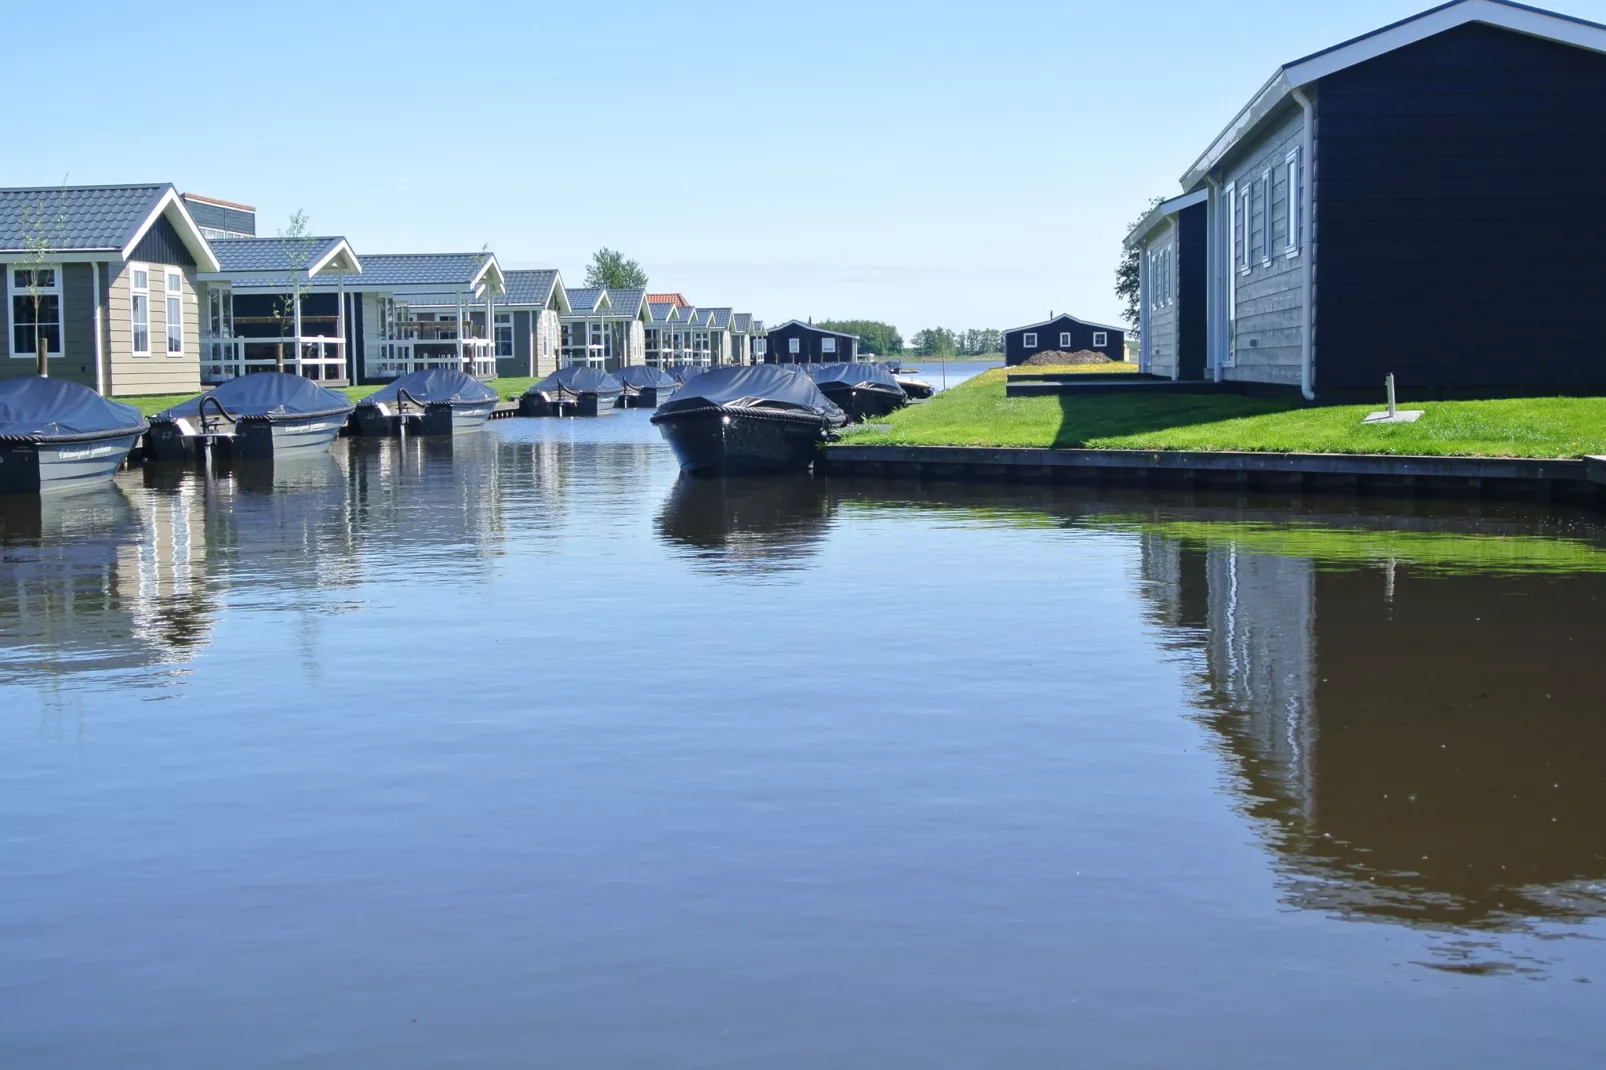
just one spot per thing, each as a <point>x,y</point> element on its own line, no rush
<point>115,292</point>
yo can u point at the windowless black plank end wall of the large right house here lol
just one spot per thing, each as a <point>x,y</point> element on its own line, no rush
<point>1448,253</point>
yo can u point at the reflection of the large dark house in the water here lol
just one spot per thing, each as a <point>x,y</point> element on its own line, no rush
<point>1427,748</point>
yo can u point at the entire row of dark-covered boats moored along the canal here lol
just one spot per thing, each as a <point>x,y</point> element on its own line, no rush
<point>728,420</point>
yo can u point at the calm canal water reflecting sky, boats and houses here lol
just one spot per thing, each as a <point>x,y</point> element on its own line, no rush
<point>520,753</point>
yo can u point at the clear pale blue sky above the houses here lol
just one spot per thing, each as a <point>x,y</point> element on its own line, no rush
<point>969,166</point>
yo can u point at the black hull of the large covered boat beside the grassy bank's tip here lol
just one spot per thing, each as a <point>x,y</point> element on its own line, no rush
<point>730,441</point>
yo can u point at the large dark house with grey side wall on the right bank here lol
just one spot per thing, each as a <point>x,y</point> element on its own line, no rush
<point>1396,205</point>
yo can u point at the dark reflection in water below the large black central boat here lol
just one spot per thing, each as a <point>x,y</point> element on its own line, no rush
<point>773,520</point>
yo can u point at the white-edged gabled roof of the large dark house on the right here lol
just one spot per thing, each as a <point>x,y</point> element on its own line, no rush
<point>1279,89</point>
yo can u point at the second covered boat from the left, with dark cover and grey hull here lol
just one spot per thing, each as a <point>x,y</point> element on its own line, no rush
<point>259,417</point>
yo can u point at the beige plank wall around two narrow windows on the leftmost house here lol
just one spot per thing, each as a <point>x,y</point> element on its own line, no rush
<point>158,374</point>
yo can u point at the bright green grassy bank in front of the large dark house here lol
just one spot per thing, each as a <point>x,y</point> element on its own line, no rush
<point>977,414</point>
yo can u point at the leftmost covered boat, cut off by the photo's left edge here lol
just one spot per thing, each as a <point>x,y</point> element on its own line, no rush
<point>57,435</point>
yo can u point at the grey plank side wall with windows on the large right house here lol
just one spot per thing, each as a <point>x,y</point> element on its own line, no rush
<point>1270,296</point>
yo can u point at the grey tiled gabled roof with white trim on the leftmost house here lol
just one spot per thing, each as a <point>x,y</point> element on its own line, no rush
<point>99,219</point>
